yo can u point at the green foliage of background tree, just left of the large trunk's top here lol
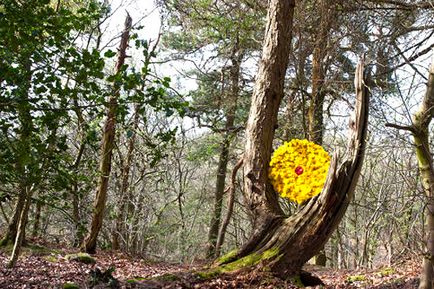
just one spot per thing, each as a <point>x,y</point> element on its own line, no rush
<point>228,30</point>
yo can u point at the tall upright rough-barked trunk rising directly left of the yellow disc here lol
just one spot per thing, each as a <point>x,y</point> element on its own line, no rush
<point>261,124</point>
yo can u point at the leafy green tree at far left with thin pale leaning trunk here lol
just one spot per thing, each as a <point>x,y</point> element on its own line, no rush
<point>38,51</point>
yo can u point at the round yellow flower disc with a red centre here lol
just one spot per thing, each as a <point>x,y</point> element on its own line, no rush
<point>298,170</point>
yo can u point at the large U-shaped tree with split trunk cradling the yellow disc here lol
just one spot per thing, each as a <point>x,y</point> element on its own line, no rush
<point>284,244</point>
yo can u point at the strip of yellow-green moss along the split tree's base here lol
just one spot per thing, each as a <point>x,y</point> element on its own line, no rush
<point>247,261</point>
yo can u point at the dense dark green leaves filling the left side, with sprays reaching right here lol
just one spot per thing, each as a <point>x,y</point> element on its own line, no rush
<point>49,84</point>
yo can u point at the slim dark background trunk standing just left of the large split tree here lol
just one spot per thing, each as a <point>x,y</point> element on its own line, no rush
<point>236,59</point>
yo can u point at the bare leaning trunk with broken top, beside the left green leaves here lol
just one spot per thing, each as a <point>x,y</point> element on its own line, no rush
<point>89,244</point>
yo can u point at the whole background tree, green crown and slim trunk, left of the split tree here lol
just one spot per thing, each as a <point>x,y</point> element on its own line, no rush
<point>229,30</point>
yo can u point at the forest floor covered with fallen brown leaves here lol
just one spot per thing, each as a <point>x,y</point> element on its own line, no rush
<point>42,266</point>
